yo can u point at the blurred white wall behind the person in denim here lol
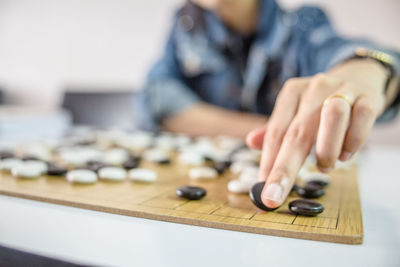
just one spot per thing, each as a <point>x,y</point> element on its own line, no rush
<point>47,44</point>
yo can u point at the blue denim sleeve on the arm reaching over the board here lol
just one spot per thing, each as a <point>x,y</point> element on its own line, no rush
<point>319,48</point>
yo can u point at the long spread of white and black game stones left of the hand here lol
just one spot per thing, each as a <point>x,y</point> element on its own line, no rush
<point>115,155</point>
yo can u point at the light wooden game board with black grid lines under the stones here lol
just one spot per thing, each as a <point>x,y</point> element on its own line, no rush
<point>341,221</point>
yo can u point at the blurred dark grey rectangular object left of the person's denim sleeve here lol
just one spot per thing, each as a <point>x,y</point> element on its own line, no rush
<point>100,109</point>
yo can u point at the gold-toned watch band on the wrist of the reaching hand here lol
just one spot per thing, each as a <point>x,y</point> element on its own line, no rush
<point>384,59</point>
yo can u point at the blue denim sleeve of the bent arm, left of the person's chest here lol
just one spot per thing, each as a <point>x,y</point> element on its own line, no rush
<point>165,91</point>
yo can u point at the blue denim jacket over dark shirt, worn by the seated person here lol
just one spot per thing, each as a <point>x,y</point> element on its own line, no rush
<point>205,61</point>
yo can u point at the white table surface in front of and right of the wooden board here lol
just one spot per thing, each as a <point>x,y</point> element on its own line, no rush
<point>91,237</point>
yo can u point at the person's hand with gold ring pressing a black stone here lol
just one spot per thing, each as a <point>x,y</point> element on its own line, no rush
<point>335,111</point>
